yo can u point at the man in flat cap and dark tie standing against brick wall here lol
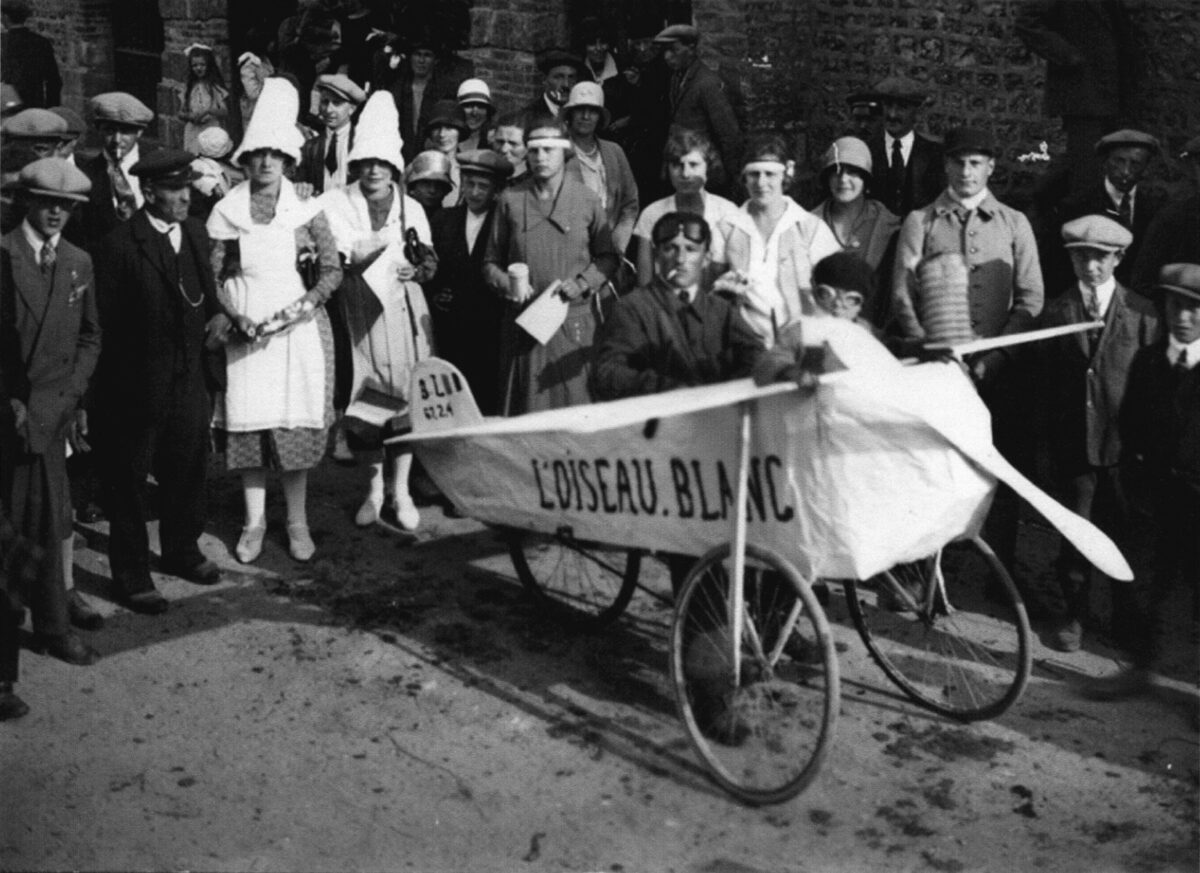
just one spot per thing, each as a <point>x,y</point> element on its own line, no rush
<point>907,164</point>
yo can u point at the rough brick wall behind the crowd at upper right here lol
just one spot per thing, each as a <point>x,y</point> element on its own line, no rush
<point>802,58</point>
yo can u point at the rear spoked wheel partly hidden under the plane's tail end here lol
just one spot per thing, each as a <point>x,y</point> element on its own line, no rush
<point>587,586</point>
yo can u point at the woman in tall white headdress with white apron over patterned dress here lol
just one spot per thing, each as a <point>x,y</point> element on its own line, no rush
<point>278,266</point>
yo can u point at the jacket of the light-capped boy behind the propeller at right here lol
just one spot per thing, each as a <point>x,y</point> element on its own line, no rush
<point>1087,383</point>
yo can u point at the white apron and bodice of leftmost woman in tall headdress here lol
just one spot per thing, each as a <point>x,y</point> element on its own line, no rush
<point>278,383</point>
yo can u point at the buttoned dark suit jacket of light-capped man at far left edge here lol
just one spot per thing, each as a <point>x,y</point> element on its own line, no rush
<point>50,335</point>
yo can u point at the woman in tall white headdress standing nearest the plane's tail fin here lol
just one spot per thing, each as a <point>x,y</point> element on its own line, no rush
<point>382,304</point>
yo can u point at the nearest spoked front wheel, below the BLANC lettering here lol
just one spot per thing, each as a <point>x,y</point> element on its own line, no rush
<point>764,732</point>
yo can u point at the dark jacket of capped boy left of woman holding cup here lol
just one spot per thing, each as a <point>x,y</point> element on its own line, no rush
<point>467,314</point>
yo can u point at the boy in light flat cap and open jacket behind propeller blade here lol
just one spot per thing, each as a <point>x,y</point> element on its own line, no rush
<point>1084,378</point>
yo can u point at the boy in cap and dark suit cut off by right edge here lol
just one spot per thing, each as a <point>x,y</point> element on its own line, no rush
<point>1161,436</point>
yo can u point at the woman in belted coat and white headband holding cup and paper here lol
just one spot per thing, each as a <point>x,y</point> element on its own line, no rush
<point>557,228</point>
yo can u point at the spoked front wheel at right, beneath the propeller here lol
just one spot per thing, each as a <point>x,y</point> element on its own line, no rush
<point>951,631</point>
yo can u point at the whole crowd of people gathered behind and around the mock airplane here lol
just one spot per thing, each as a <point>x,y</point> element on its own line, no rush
<point>266,291</point>
